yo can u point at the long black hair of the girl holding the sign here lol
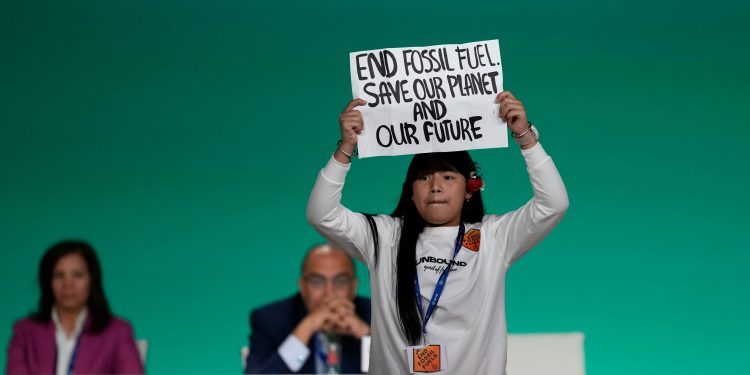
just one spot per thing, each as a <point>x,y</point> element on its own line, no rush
<point>412,225</point>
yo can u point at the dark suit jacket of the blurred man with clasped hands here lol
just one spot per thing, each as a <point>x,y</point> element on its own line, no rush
<point>270,326</point>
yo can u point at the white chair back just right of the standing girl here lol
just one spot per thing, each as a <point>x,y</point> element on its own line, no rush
<point>546,354</point>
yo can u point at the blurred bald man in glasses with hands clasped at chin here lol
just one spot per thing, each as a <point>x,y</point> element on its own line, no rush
<point>318,330</point>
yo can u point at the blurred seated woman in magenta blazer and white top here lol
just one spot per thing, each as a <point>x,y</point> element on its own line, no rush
<point>73,331</point>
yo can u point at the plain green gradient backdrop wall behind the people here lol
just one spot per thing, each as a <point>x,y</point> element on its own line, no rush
<point>182,137</point>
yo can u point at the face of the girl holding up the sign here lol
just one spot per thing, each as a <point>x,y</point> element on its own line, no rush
<point>439,197</point>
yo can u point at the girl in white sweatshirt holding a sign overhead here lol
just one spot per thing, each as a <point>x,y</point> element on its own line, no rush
<point>445,307</point>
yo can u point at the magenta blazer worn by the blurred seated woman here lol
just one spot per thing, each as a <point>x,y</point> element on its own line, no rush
<point>33,349</point>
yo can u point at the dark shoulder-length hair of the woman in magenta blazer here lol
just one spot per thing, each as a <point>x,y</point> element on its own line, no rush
<point>98,307</point>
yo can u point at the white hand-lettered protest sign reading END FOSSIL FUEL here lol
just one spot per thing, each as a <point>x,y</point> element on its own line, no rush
<point>429,99</point>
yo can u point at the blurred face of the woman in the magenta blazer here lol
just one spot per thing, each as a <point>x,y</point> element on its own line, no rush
<point>71,282</point>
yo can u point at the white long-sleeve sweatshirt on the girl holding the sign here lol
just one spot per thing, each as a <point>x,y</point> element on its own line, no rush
<point>470,316</point>
